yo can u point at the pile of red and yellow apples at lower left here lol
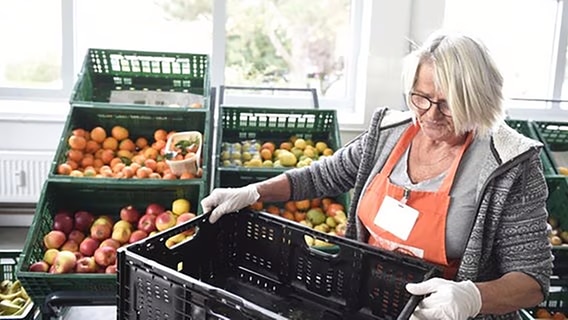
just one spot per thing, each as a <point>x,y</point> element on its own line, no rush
<point>83,242</point>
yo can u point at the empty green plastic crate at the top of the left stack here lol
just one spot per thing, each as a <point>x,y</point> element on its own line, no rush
<point>108,70</point>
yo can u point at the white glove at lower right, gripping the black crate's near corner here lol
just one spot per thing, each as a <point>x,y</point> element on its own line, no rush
<point>446,299</point>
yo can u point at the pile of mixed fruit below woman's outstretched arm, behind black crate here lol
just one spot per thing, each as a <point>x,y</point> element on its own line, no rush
<point>325,215</point>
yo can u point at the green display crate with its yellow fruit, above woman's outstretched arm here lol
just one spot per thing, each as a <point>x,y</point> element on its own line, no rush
<point>254,127</point>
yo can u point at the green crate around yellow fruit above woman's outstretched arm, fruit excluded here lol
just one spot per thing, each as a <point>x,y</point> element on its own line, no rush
<point>237,124</point>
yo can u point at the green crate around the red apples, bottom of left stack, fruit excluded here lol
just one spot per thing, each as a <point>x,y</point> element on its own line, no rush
<point>98,199</point>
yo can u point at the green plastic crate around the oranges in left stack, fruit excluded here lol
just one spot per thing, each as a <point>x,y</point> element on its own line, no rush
<point>140,122</point>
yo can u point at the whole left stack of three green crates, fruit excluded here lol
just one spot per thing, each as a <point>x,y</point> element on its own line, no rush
<point>106,73</point>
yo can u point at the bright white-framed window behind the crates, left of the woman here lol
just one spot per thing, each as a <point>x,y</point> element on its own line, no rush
<point>265,43</point>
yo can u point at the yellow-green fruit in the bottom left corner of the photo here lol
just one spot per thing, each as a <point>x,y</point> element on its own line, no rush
<point>13,299</point>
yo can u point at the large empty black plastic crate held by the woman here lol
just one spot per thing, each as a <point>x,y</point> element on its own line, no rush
<point>253,265</point>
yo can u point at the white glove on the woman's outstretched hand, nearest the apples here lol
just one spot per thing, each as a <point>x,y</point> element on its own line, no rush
<point>226,200</point>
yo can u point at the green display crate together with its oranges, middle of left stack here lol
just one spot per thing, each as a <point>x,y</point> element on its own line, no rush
<point>133,124</point>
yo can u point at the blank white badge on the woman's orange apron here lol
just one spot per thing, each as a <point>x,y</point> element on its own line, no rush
<point>396,217</point>
